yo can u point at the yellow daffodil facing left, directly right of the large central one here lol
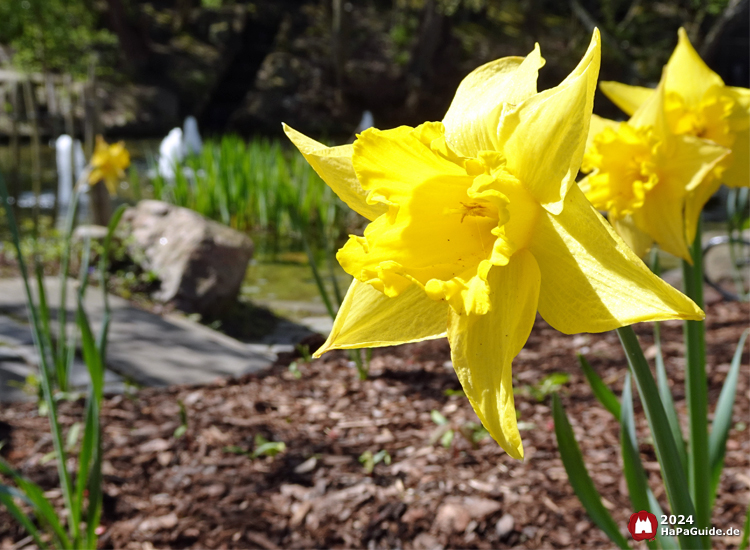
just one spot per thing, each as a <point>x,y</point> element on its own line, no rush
<point>652,182</point>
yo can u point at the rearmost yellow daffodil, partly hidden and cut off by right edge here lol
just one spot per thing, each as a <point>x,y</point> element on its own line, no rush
<point>697,103</point>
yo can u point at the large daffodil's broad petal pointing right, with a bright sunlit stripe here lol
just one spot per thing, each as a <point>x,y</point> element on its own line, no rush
<point>591,280</point>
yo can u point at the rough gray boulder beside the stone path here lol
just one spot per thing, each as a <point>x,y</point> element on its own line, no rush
<point>200,263</point>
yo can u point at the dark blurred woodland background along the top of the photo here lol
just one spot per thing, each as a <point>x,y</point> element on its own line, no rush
<point>244,66</point>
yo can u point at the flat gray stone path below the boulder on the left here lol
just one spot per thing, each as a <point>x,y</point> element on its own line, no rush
<point>145,348</point>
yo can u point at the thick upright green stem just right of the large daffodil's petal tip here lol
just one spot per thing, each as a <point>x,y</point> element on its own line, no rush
<point>696,389</point>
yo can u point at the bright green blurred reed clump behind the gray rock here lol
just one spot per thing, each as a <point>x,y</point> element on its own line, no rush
<point>258,187</point>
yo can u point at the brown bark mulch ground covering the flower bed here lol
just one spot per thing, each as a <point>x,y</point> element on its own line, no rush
<point>196,491</point>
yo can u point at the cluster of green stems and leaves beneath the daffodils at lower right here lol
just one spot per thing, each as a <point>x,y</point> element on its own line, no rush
<point>690,467</point>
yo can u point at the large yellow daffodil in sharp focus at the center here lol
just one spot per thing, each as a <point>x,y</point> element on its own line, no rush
<point>476,223</point>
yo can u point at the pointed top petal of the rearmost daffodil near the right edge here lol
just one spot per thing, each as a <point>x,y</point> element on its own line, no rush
<point>687,73</point>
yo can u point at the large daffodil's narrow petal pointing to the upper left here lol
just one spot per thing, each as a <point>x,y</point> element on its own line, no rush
<point>334,166</point>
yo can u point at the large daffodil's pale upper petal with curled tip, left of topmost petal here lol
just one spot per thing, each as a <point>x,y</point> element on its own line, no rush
<point>472,118</point>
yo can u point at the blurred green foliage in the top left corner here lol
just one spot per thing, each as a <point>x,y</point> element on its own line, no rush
<point>53,35</point>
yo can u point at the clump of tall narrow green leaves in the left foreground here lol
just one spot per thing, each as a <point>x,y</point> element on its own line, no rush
<point>82,492</point>
